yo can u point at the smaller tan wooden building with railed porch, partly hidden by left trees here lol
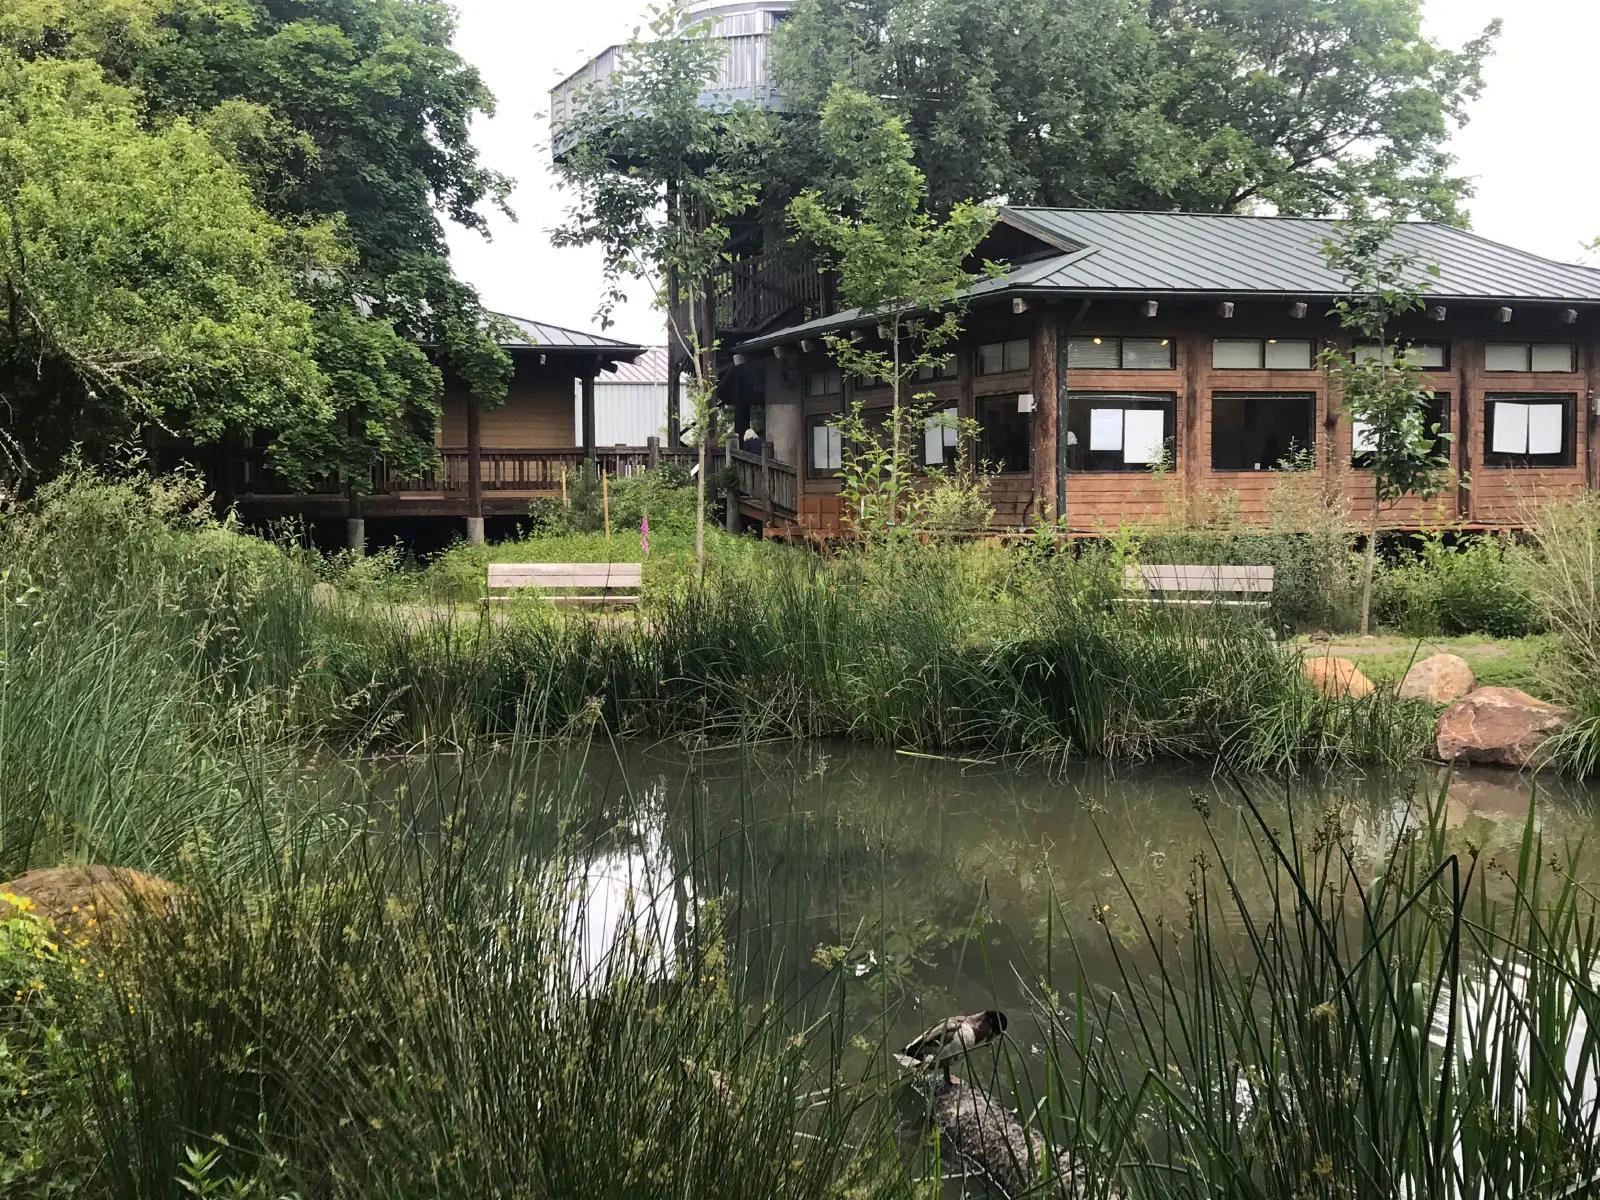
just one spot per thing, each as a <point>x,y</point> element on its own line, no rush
<point>492,462</point>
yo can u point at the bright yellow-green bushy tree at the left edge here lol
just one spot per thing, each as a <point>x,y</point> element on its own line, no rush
<point>143,286</point>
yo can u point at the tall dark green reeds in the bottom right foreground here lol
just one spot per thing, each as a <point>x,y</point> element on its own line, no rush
<point>1394,1020</point>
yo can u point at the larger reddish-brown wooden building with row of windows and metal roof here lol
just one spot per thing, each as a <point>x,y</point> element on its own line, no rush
<point>1121,342</point>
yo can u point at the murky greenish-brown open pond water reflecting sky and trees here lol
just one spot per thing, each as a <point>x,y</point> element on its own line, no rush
<point>922,884</point>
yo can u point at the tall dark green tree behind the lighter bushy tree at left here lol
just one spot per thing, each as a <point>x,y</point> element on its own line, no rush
<point>351,122</point>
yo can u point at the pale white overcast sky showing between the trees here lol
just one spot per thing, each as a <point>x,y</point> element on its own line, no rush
<point>1538,180</point>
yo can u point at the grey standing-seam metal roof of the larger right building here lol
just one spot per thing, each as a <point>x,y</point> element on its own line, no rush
<point>1108,254</point>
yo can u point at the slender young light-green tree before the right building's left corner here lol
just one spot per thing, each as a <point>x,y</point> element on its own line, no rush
<point>895,262</point>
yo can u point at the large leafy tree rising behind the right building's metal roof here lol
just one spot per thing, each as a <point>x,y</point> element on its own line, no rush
<point>1196,105</point>
